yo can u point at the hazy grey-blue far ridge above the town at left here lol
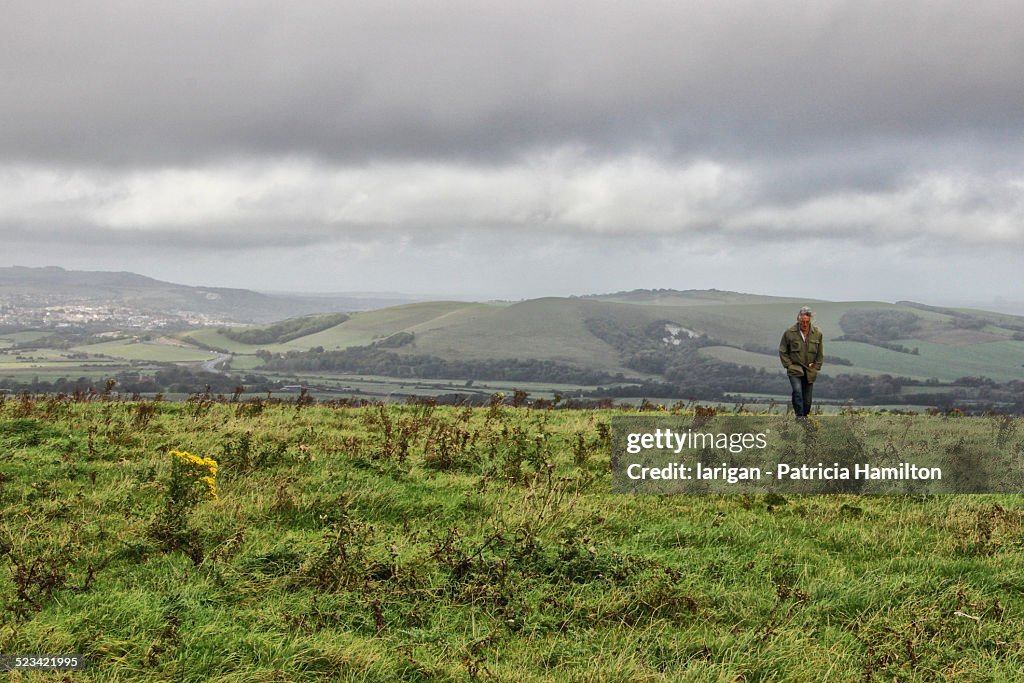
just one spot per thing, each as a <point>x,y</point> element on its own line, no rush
<point>26,288</point>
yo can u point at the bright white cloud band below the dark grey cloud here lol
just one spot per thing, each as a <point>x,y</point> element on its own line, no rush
<point>270,204</point>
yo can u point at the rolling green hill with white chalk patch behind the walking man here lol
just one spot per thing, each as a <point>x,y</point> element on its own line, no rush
<point>641,334</point>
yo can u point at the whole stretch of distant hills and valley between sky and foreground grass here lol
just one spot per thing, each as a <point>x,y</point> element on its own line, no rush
<point>711,346</point>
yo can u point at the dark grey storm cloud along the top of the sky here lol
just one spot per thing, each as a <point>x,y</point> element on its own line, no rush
<point>163,83</point>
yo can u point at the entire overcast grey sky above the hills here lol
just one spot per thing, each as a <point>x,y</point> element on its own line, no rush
<point>830,150</point>
